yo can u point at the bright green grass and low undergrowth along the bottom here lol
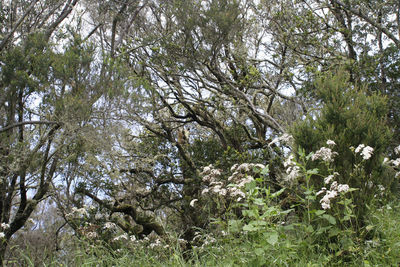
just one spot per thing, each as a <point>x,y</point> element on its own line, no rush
<point>293,247</point>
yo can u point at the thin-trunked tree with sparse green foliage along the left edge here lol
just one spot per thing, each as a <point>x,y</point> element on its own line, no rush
<point>46,99</point>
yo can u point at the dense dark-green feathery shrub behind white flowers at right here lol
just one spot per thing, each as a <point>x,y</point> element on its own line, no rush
<point>350,117</point>
